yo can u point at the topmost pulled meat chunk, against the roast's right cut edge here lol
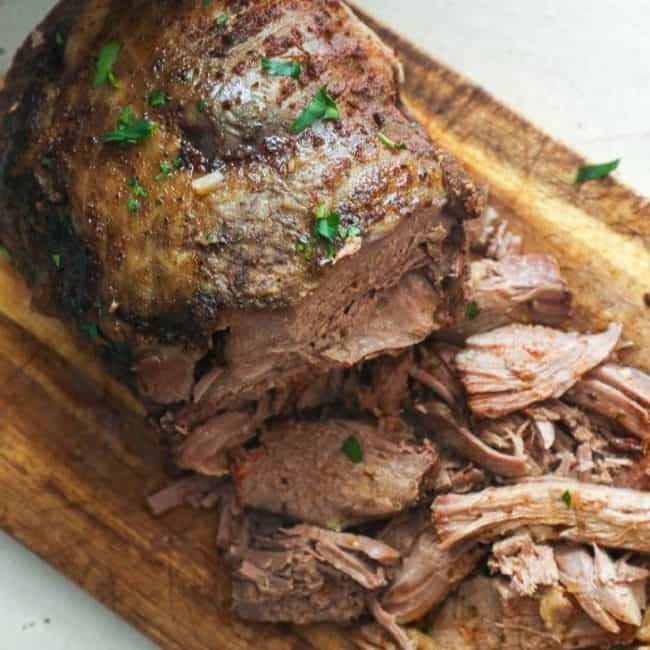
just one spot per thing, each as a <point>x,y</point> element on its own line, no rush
<point>516,288</point>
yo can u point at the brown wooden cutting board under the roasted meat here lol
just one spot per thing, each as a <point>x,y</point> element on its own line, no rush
<point>77,458</point>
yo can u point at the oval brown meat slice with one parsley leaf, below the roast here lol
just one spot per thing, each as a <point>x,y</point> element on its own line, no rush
<point>300,470</point>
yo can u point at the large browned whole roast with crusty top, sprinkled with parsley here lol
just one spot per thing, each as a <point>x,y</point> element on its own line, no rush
<point>189,233</point>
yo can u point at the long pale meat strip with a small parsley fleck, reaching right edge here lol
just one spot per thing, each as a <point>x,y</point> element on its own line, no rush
<point>580,512</point>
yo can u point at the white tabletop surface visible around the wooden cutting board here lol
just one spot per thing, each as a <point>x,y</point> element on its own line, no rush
<point>580,69</point>
